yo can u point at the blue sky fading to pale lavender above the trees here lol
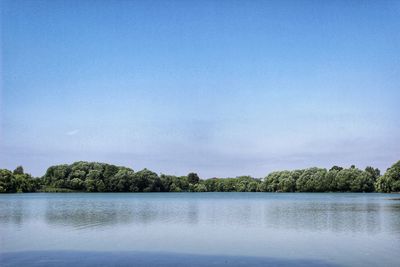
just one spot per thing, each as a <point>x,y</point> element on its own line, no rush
<point>222,88</point>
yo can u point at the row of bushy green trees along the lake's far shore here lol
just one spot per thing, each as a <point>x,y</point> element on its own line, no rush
<point>101,177</point>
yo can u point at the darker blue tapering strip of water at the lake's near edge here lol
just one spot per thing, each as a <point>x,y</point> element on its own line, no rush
<point>90,258</point>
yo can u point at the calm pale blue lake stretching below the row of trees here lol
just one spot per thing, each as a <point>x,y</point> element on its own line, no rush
<point>200,229</point>
